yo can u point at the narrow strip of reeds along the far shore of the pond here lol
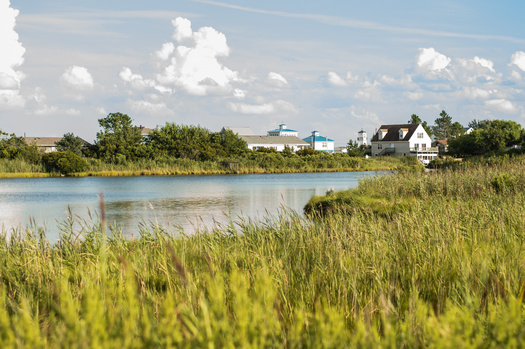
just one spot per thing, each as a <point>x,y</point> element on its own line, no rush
<point>258,163</point>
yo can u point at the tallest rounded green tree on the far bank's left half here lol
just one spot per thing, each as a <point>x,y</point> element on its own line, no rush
<point>119,140</point>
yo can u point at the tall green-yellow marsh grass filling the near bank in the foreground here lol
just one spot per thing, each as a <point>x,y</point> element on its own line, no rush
<point>446,270</point>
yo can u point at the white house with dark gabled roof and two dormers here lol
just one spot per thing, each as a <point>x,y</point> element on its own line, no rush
<point>404,140</point>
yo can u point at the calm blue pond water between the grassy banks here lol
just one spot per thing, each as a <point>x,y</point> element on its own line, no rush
<point>180,201</point>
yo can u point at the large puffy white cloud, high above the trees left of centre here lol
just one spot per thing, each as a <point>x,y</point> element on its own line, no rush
<point>194,66</point>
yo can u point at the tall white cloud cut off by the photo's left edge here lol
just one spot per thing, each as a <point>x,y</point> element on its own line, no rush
<point>12,57</point>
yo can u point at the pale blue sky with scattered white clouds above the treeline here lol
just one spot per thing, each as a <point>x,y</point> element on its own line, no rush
<point>334,66</point>
